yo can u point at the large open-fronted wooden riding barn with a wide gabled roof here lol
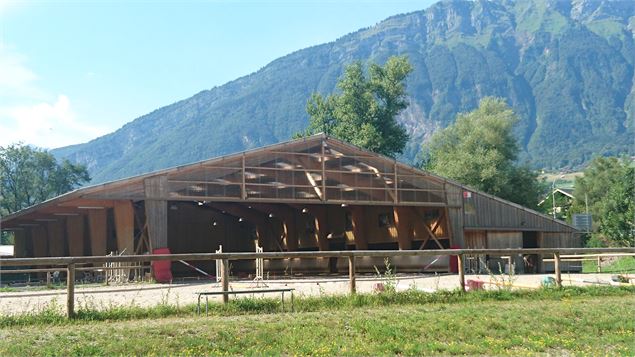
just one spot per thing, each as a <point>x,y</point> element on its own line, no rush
<point>316,193</point>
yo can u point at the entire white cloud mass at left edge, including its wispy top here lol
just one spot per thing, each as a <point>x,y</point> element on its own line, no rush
<point>30,114</point>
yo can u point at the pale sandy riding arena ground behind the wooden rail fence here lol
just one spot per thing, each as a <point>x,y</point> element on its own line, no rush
<point>182,293</point>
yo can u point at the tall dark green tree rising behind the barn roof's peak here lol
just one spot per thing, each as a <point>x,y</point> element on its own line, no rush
<point>364,112</point>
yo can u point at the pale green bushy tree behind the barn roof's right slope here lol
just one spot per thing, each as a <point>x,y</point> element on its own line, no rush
<point>480,150</point>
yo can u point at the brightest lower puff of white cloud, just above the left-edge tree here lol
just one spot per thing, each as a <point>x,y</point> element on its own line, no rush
<point>47,125</point>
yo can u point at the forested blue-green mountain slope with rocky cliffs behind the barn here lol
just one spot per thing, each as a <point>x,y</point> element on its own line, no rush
<point>566,67</point>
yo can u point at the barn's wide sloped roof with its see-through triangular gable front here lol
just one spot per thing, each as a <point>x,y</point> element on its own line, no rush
<point>316,169</point>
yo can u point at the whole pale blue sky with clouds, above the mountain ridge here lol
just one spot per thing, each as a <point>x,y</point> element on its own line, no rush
<point>73,70</point>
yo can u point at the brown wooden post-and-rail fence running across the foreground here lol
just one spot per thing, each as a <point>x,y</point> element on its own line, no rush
<point>70,263</point>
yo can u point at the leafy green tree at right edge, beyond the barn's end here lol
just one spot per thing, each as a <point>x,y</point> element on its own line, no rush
<point>608,187</point>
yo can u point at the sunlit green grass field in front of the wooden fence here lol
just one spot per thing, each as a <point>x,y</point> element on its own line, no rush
<point>595,321</point>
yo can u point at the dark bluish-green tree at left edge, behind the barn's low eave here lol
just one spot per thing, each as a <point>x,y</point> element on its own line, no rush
<point>29,176</point>
